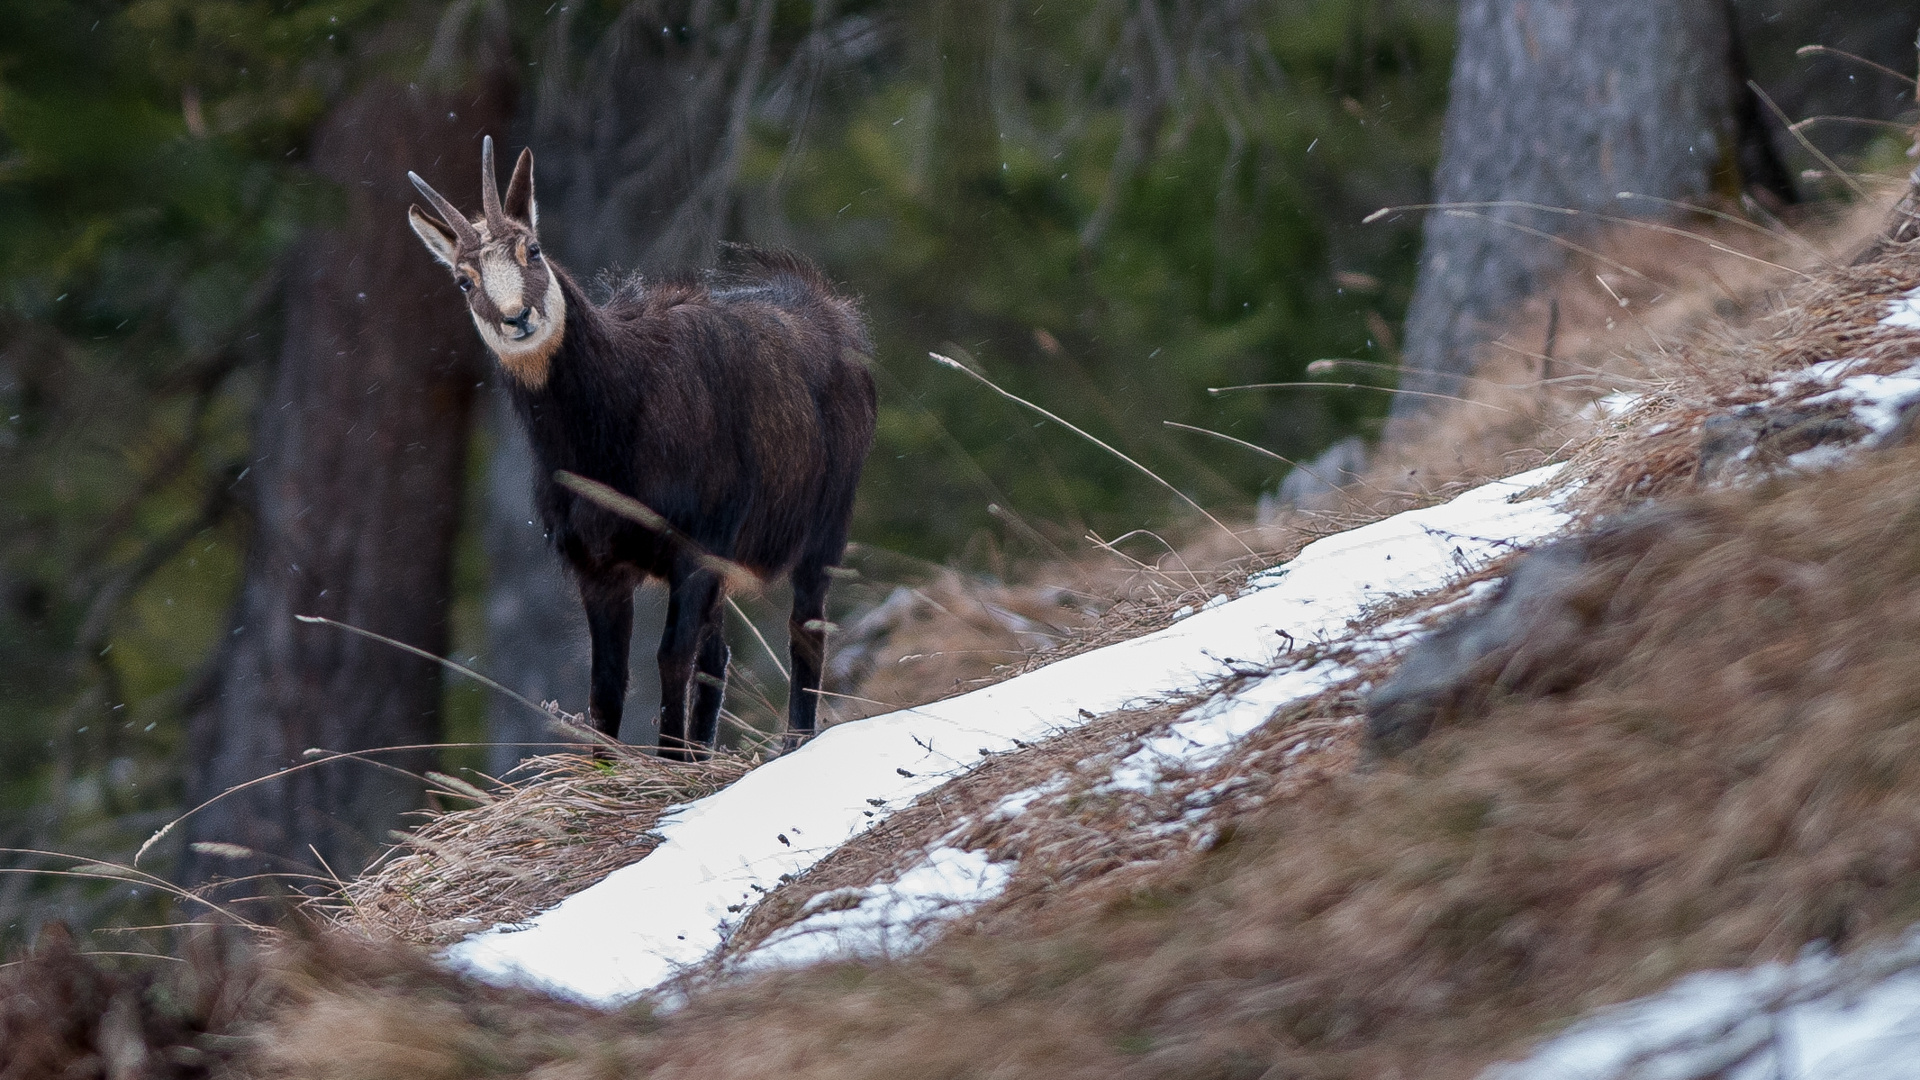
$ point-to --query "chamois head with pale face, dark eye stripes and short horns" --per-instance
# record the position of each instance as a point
(512, 291)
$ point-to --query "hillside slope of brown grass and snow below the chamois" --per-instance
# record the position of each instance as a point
(1182, 856)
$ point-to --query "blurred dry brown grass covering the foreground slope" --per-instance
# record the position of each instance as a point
(1429, 916)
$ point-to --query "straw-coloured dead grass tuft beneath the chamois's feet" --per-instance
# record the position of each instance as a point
(558, 825)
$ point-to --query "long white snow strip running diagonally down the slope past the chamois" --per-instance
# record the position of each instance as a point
(673, 908)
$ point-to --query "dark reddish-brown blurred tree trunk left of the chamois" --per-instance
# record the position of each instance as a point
(358, 476)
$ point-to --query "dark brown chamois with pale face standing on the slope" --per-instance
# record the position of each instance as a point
(736, 410)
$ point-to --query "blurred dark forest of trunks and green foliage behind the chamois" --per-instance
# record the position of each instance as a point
(1109, 207)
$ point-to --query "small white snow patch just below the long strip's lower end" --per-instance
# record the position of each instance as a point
(884, 920)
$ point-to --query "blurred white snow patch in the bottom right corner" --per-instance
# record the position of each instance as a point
(1815, 1018)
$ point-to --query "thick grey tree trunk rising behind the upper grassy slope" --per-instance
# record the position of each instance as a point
(1566, 105)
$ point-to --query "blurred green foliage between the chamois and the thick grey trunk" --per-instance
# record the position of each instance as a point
(982, 203)
